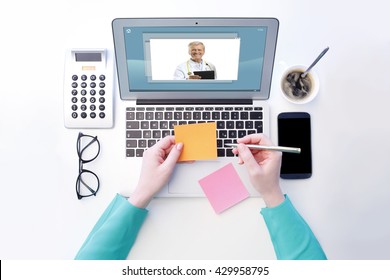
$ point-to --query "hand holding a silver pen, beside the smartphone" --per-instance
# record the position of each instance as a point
(263, 167)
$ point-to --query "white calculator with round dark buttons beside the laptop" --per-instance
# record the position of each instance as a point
(88, 88)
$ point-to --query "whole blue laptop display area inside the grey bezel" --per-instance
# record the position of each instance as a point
(234, 53)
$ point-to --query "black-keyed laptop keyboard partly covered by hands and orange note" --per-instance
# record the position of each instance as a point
(146, 125)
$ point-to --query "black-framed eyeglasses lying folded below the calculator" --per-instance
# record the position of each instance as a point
(88, 148)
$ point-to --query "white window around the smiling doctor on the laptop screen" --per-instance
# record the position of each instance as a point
(166, 55)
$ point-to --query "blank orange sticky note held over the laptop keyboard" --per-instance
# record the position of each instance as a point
(200, 141)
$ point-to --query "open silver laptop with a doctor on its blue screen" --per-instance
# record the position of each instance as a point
(155, 58)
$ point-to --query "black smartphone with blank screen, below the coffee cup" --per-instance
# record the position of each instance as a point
(294, 130)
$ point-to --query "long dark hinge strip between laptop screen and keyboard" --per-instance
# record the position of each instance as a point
(194, 101)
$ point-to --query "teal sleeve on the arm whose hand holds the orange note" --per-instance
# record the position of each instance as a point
(115, 232)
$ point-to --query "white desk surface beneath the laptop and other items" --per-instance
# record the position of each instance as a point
(346, 202)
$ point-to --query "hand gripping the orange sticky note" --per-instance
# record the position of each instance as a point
(157, 166)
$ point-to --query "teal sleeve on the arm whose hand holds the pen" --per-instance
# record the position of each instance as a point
(291, 236)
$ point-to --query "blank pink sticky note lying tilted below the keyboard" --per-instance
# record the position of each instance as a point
(223, 188)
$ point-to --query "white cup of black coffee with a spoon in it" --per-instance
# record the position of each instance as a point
(299, 90)
